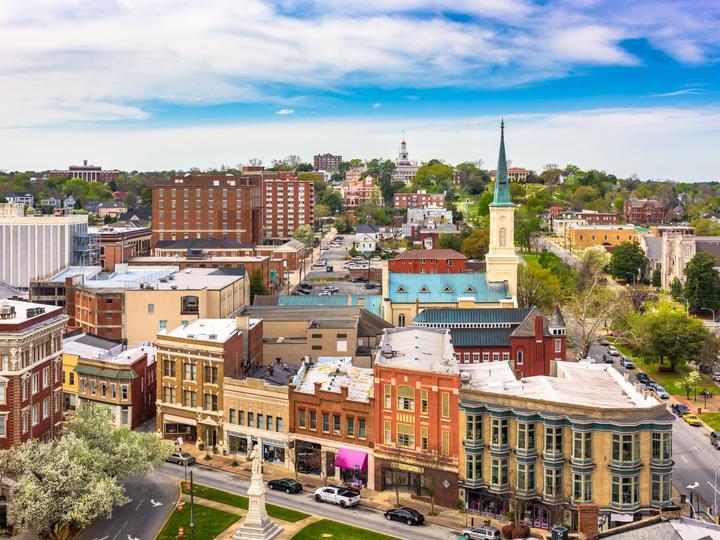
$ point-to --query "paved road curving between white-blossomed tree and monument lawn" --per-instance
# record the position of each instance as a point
(142, 517)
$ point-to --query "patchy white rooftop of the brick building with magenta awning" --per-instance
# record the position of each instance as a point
(333, 373)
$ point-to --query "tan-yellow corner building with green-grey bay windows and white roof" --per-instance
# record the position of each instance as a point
(546, 445)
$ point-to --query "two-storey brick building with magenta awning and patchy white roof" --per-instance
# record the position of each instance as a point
(331, 421)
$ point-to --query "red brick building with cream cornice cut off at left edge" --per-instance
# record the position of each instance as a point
(30, 372)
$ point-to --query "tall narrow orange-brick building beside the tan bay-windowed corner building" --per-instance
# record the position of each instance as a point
(417, 383)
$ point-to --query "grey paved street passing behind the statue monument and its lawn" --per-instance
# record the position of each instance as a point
(359, 516)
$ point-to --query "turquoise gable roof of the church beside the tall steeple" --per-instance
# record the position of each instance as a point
(436, 283)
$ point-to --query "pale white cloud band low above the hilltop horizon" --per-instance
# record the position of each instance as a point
(656, 142)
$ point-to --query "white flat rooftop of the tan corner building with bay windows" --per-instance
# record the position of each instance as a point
(576, 383)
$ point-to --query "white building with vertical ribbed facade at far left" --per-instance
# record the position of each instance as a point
(32, 247)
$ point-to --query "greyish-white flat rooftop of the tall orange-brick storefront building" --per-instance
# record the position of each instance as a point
(421, 349)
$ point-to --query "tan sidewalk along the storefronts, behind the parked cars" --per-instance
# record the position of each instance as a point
(378, 500)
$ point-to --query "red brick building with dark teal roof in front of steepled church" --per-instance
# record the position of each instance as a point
(525, 337)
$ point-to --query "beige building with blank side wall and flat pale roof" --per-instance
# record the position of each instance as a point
(181, 298)
